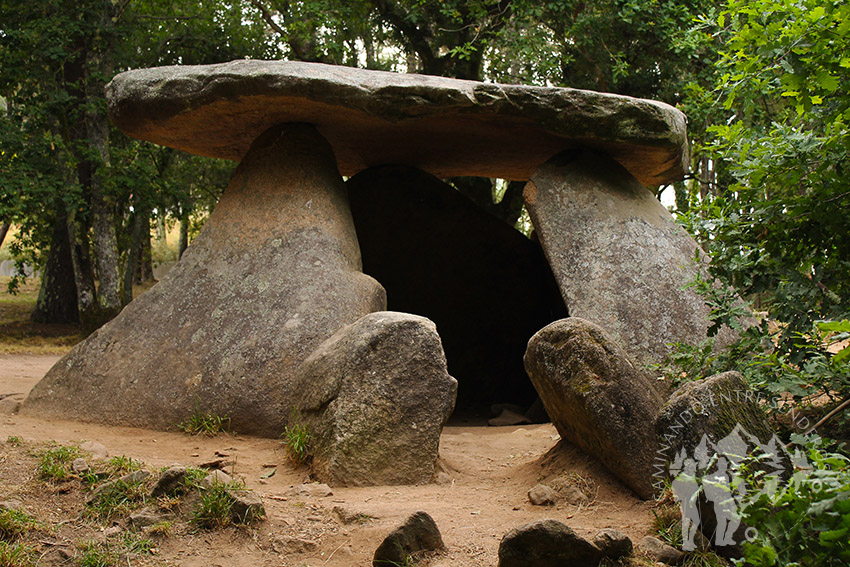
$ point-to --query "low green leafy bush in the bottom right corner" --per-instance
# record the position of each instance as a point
(804, 521)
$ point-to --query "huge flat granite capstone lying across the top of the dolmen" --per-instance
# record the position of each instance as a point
(371, 117)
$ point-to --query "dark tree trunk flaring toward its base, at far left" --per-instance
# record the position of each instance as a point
(57, 297)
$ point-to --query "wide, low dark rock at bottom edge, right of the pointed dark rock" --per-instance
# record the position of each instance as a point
(546, 543)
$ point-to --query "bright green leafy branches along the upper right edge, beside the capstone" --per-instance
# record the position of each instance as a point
(776, 220)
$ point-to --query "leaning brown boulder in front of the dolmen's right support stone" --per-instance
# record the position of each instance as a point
(597, 398)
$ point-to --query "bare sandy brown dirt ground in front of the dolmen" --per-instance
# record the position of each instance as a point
(484, 494)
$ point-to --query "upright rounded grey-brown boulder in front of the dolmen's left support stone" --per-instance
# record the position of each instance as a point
(375, 397)
